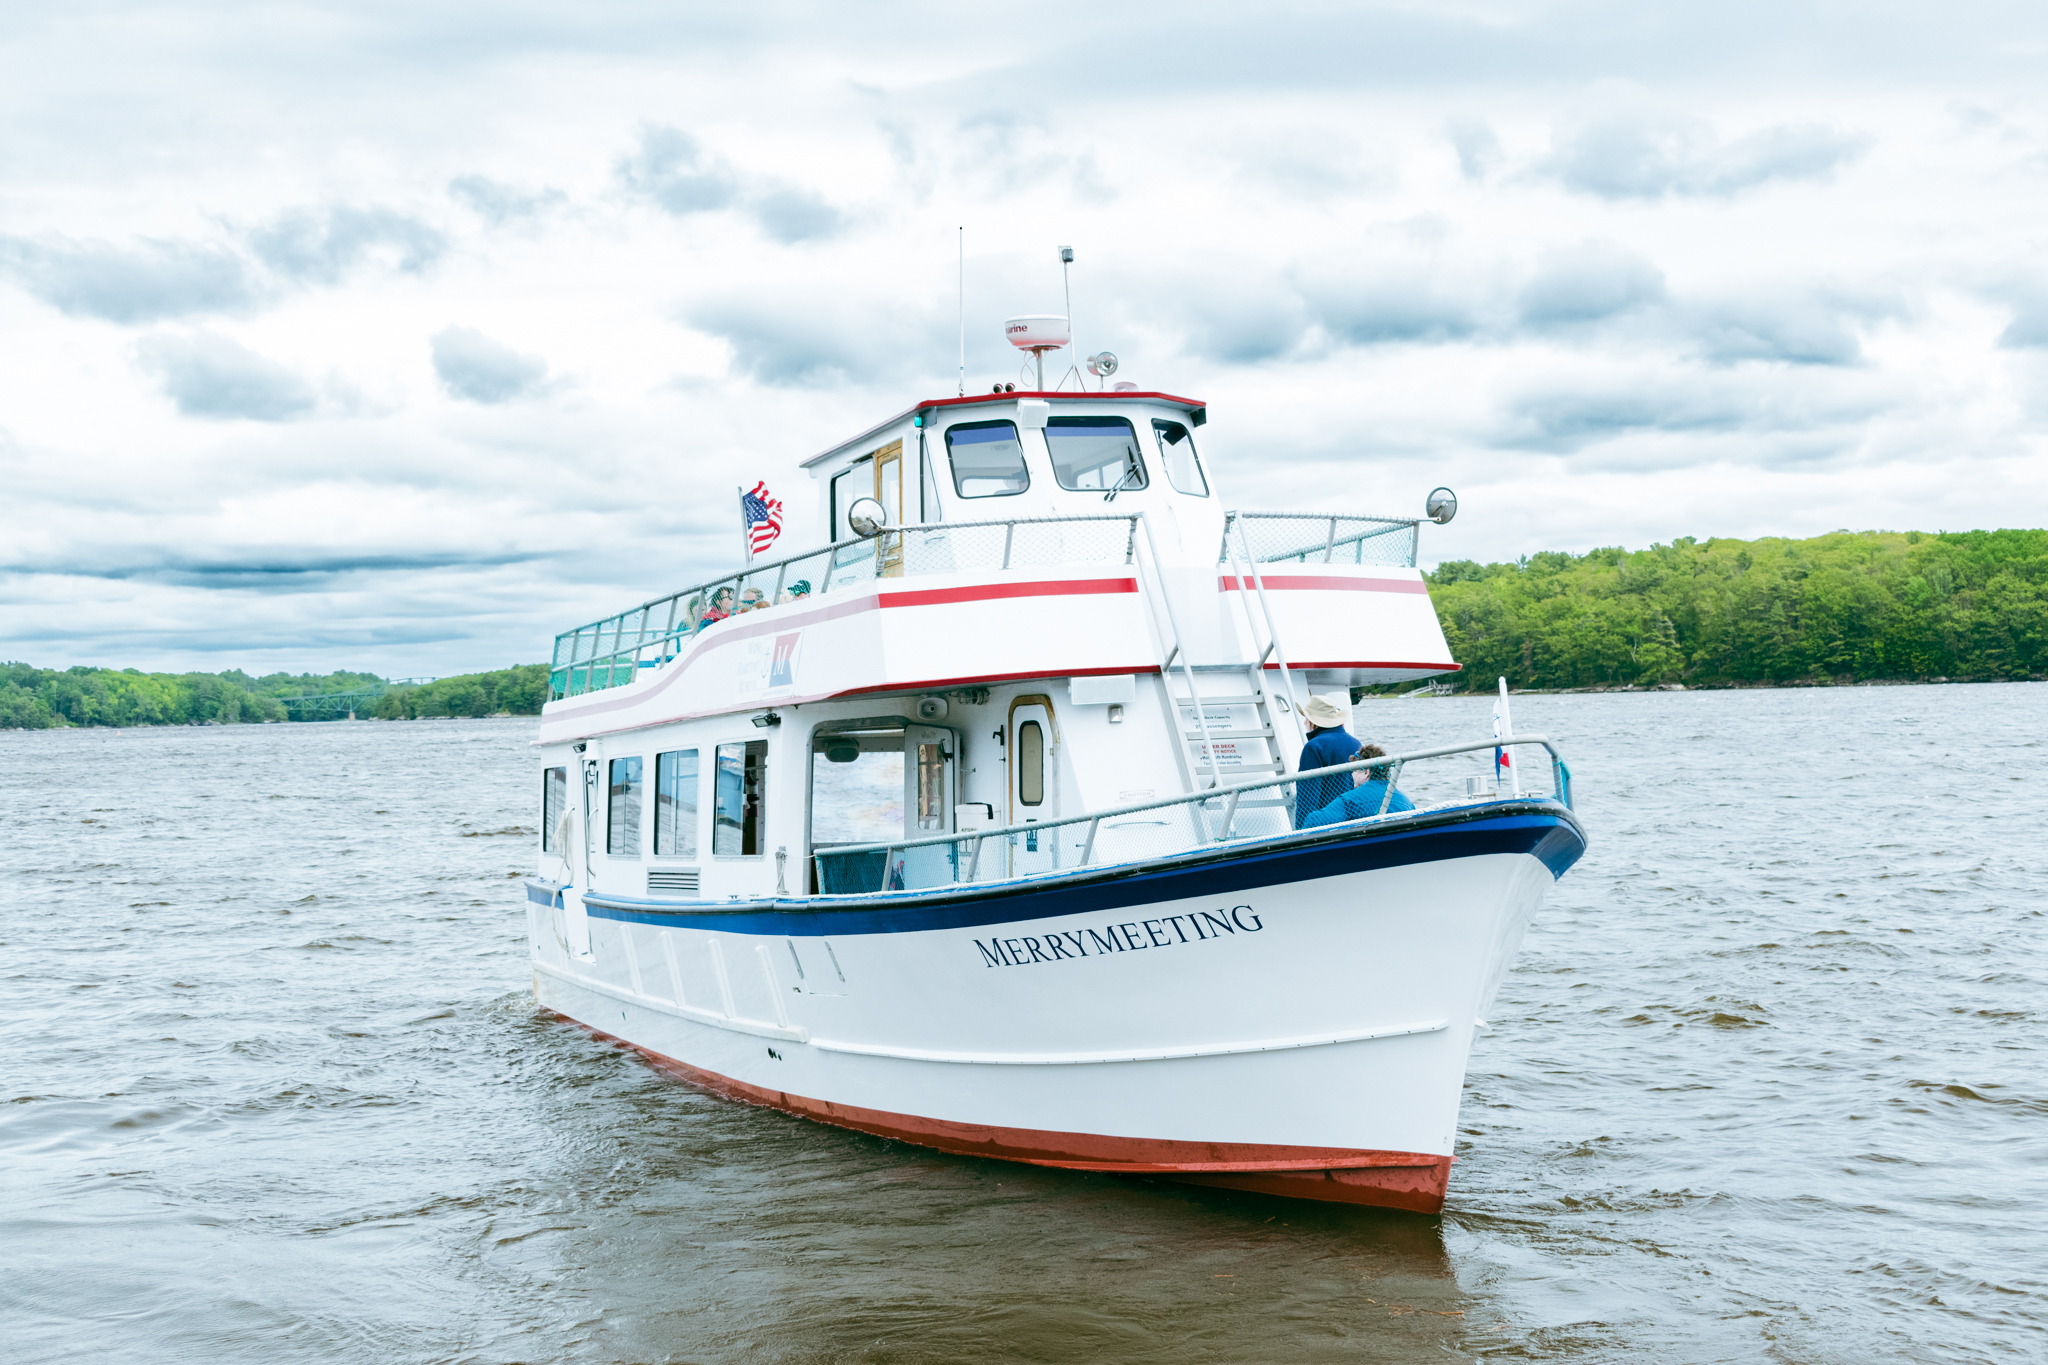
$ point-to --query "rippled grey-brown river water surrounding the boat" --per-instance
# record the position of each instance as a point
(1768, 1086)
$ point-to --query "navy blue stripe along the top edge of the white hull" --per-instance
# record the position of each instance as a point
(1545, 834)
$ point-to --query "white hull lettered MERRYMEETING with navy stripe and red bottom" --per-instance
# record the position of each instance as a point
(1291, 1016)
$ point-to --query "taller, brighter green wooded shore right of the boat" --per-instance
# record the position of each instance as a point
(1846, 607)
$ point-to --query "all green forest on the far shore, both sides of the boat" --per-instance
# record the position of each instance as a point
(1840, 609)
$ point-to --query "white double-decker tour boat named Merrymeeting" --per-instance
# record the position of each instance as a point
(978, 826)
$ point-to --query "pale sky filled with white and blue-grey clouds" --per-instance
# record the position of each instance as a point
(404, 335)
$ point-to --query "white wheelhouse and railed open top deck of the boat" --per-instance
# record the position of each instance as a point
(992, 484)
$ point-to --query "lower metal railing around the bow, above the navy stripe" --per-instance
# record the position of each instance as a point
(1134, 834)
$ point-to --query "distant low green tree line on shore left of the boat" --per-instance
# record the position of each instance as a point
(42, 699)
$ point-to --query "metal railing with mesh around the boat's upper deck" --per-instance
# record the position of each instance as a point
(613, 652)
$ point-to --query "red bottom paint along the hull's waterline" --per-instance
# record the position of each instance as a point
(1410, 1182)
